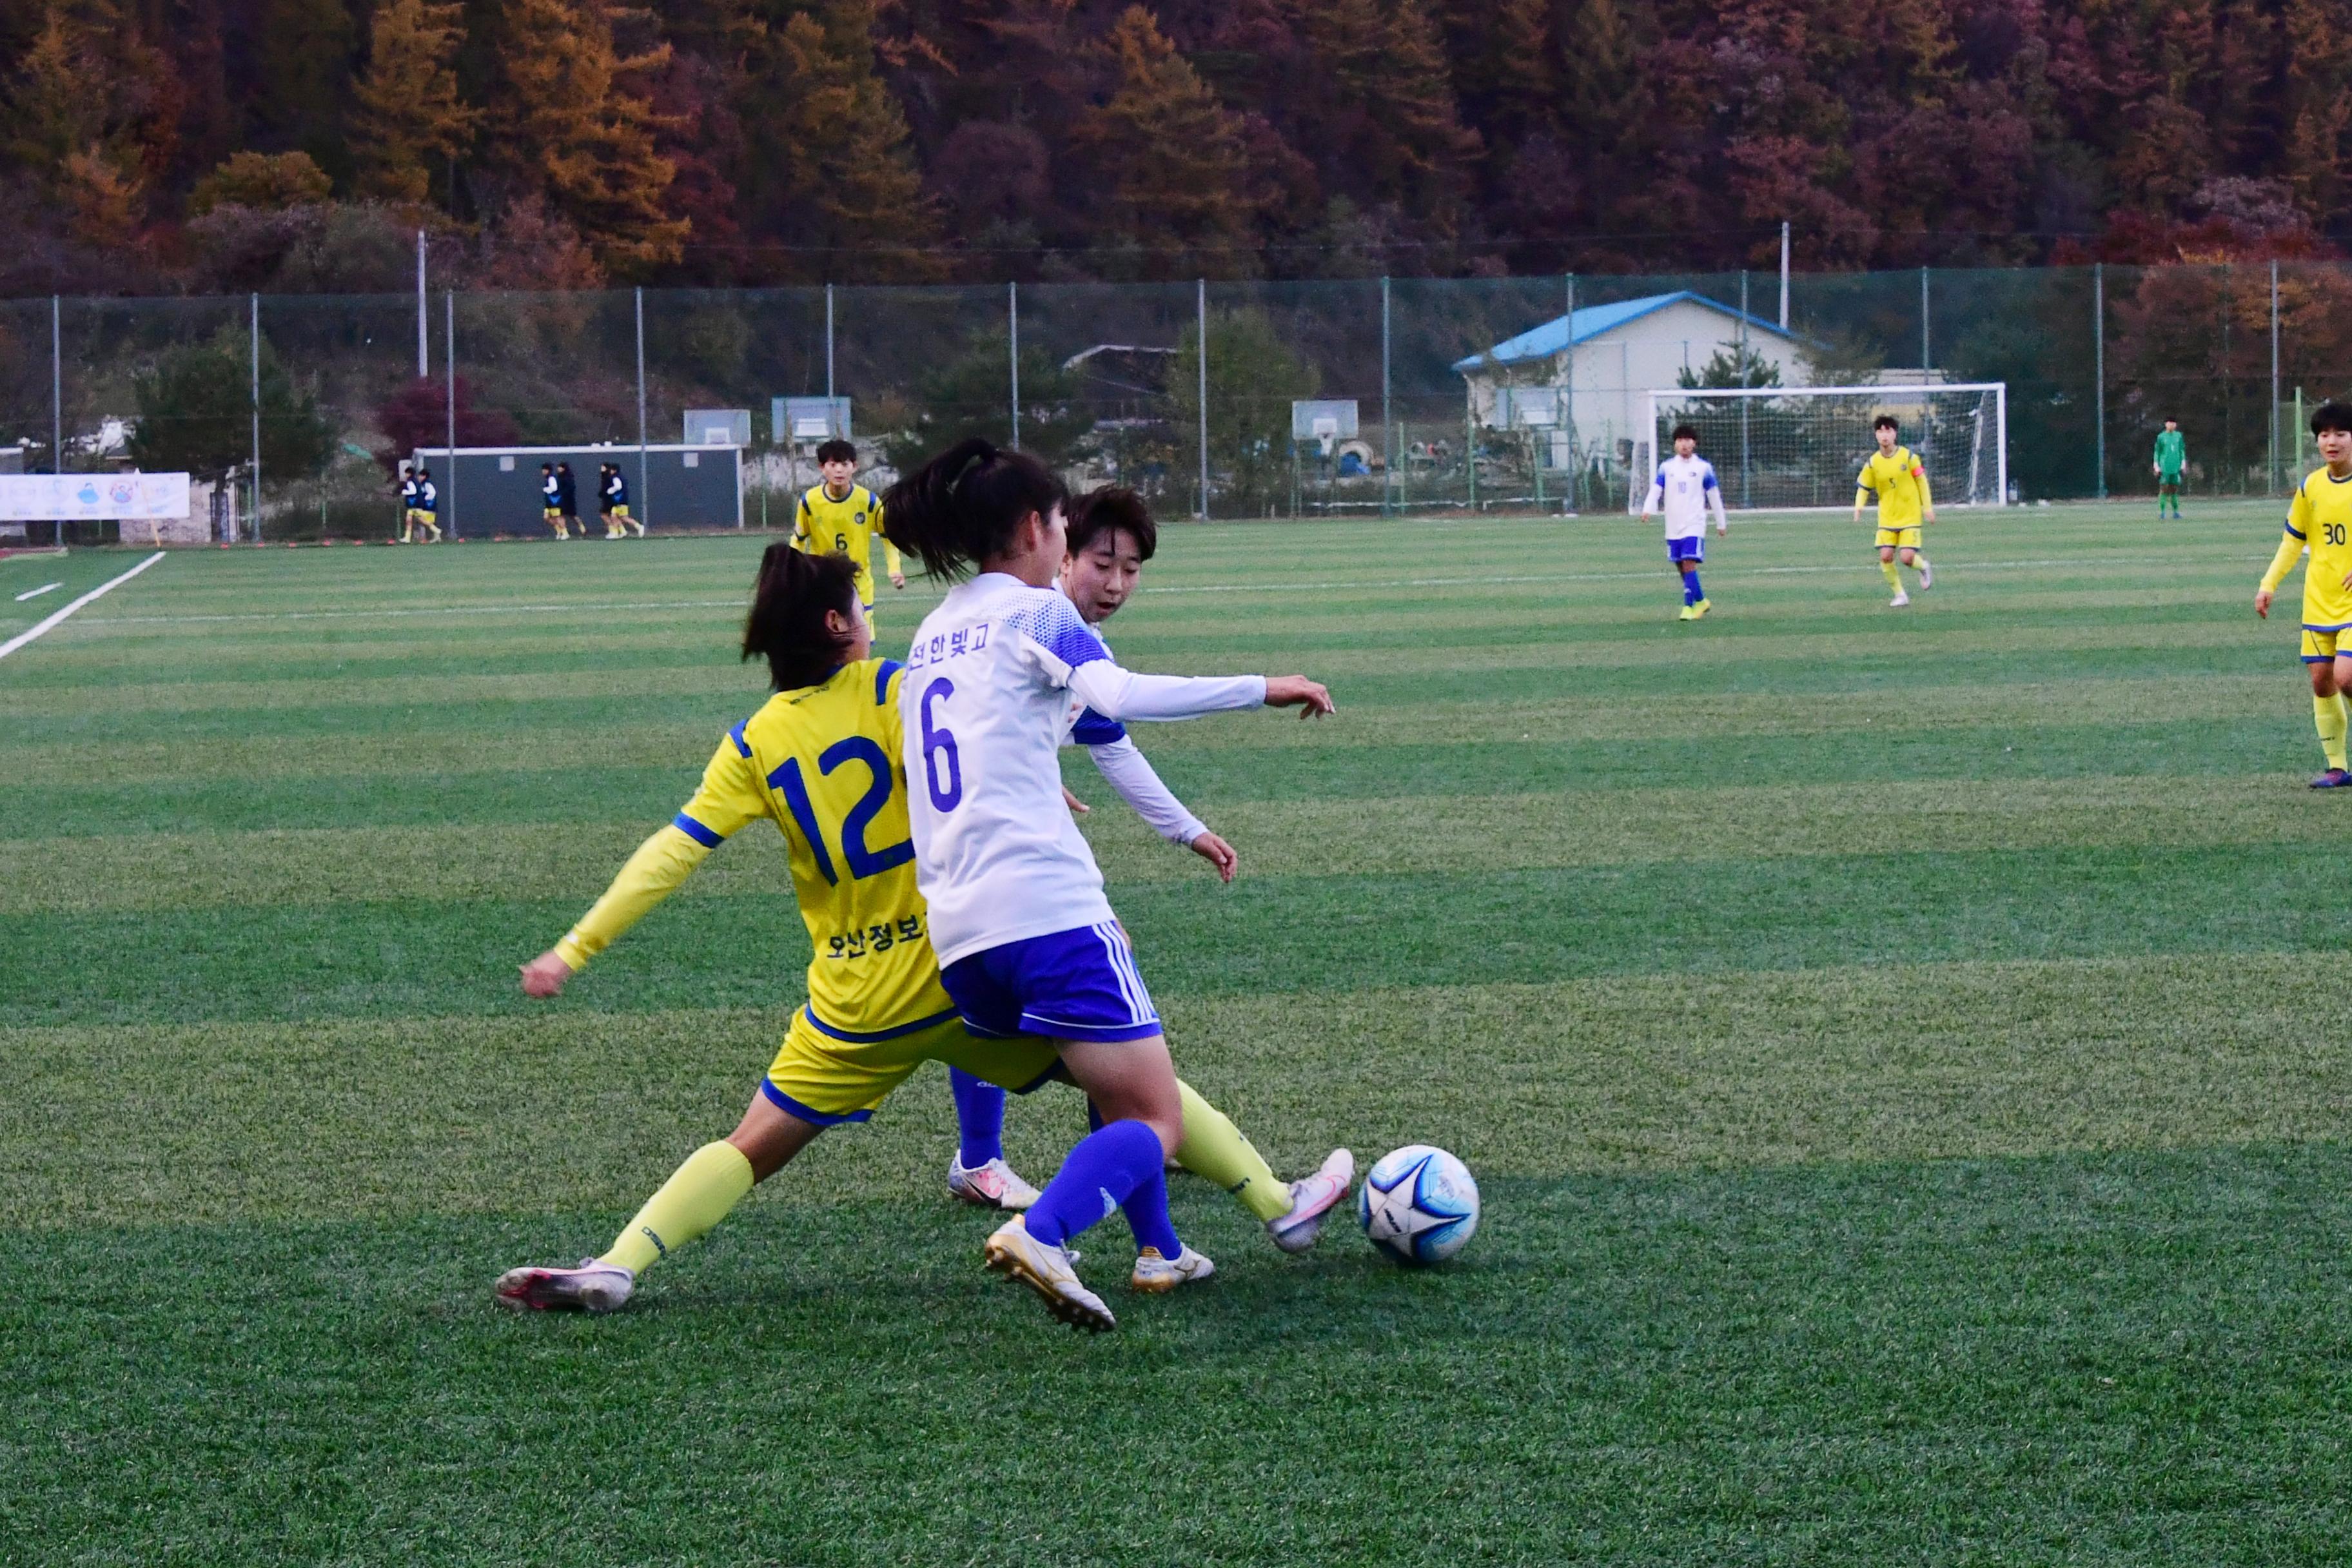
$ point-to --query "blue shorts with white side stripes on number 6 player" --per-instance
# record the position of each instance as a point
(1067, 986)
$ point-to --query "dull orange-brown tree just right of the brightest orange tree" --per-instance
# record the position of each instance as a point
(838, 133)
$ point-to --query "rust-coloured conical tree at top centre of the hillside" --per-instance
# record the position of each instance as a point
(1170, 156)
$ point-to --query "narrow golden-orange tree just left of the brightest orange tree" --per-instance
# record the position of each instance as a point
(410, 119)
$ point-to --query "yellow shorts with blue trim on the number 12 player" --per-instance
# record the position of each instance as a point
(827, 1080)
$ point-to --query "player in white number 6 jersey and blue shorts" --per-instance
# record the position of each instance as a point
(1027, 942)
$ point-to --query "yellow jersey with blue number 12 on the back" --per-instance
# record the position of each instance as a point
(822, 763)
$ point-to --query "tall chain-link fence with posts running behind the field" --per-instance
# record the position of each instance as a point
(1220, 401)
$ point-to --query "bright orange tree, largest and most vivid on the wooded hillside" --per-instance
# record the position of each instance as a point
(575, 126)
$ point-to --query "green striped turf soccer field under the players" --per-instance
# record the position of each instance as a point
(1902, 1054)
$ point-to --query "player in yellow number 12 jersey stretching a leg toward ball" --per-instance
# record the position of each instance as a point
(822, 760)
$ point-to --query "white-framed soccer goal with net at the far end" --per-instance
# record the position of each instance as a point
(1798, 448)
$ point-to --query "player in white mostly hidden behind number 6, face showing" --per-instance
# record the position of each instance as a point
(1109, 537)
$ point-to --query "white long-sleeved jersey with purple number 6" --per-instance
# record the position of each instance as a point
(989, 704)
